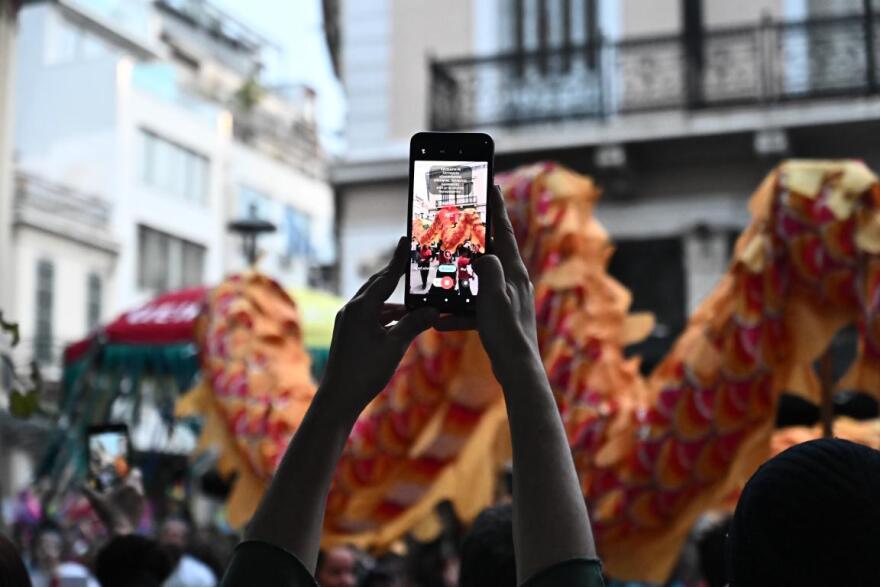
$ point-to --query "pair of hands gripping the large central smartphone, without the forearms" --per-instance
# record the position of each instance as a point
(365, 351)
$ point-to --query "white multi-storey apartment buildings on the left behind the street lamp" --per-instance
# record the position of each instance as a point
(153, 117)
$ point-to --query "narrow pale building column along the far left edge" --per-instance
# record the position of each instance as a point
(8, 9)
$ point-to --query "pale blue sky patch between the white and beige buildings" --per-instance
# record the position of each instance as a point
(296, 26)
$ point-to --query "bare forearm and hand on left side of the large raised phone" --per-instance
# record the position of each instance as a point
(363, 355)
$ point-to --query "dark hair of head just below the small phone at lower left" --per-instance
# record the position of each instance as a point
(133, 561)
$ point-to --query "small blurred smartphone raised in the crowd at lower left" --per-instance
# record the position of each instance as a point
(108, 454)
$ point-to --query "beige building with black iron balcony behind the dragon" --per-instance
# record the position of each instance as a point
(677, 107)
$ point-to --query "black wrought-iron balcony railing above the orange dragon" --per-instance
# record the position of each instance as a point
(763, 65)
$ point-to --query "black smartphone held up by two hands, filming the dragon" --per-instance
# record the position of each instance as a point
(448, 218)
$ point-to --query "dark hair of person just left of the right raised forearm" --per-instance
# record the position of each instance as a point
(487, 557)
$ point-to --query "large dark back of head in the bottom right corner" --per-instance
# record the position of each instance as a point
(809, 516)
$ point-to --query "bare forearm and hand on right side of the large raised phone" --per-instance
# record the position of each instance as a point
(550, 522)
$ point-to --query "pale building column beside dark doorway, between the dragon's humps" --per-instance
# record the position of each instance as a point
(705, 262)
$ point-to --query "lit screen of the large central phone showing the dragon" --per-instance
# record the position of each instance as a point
(448, 230)
